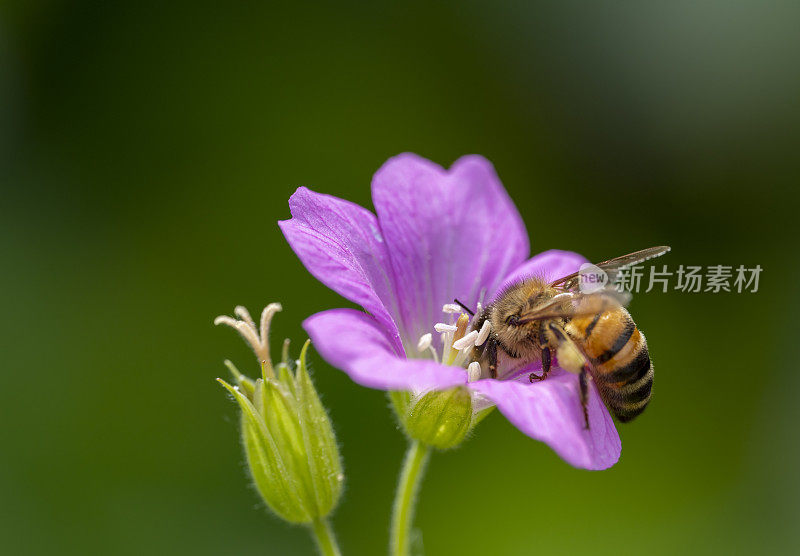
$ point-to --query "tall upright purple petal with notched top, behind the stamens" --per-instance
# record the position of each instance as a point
(449, 233)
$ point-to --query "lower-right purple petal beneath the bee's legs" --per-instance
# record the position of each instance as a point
(550, 411)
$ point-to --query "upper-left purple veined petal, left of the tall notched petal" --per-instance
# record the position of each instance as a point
(340, 243)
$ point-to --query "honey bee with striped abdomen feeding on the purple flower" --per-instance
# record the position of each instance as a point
(591, 334)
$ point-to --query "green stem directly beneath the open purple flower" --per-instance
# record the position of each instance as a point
(406, 497)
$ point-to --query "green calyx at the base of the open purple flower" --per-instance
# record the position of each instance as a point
(438, 419)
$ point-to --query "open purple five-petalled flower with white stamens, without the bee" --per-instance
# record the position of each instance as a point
(438, 235)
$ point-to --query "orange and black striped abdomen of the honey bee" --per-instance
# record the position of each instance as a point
(622, 369)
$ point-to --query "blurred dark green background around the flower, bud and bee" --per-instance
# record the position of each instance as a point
(148, 149)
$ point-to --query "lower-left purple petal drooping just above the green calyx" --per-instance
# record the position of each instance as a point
(355, 343)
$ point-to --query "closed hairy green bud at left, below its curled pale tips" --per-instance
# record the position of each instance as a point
(288, 440)
